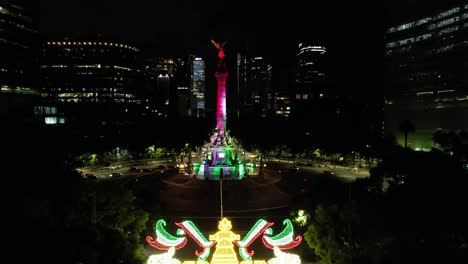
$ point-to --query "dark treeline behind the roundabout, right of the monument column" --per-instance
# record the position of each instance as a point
(303, 134)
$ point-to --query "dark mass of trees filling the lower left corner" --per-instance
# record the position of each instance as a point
(54, 215)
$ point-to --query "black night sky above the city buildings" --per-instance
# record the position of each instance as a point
(352, 30)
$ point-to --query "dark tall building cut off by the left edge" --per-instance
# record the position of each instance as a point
(19, 42)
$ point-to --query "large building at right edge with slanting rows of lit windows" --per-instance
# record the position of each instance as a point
(425, 74)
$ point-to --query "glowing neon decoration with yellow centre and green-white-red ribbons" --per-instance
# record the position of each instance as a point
(224, 242)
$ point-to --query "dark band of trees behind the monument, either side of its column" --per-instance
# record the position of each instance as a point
(94, 135)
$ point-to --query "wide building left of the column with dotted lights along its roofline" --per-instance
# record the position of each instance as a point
(93, 75)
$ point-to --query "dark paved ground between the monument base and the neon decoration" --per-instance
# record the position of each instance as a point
(182, 193)
